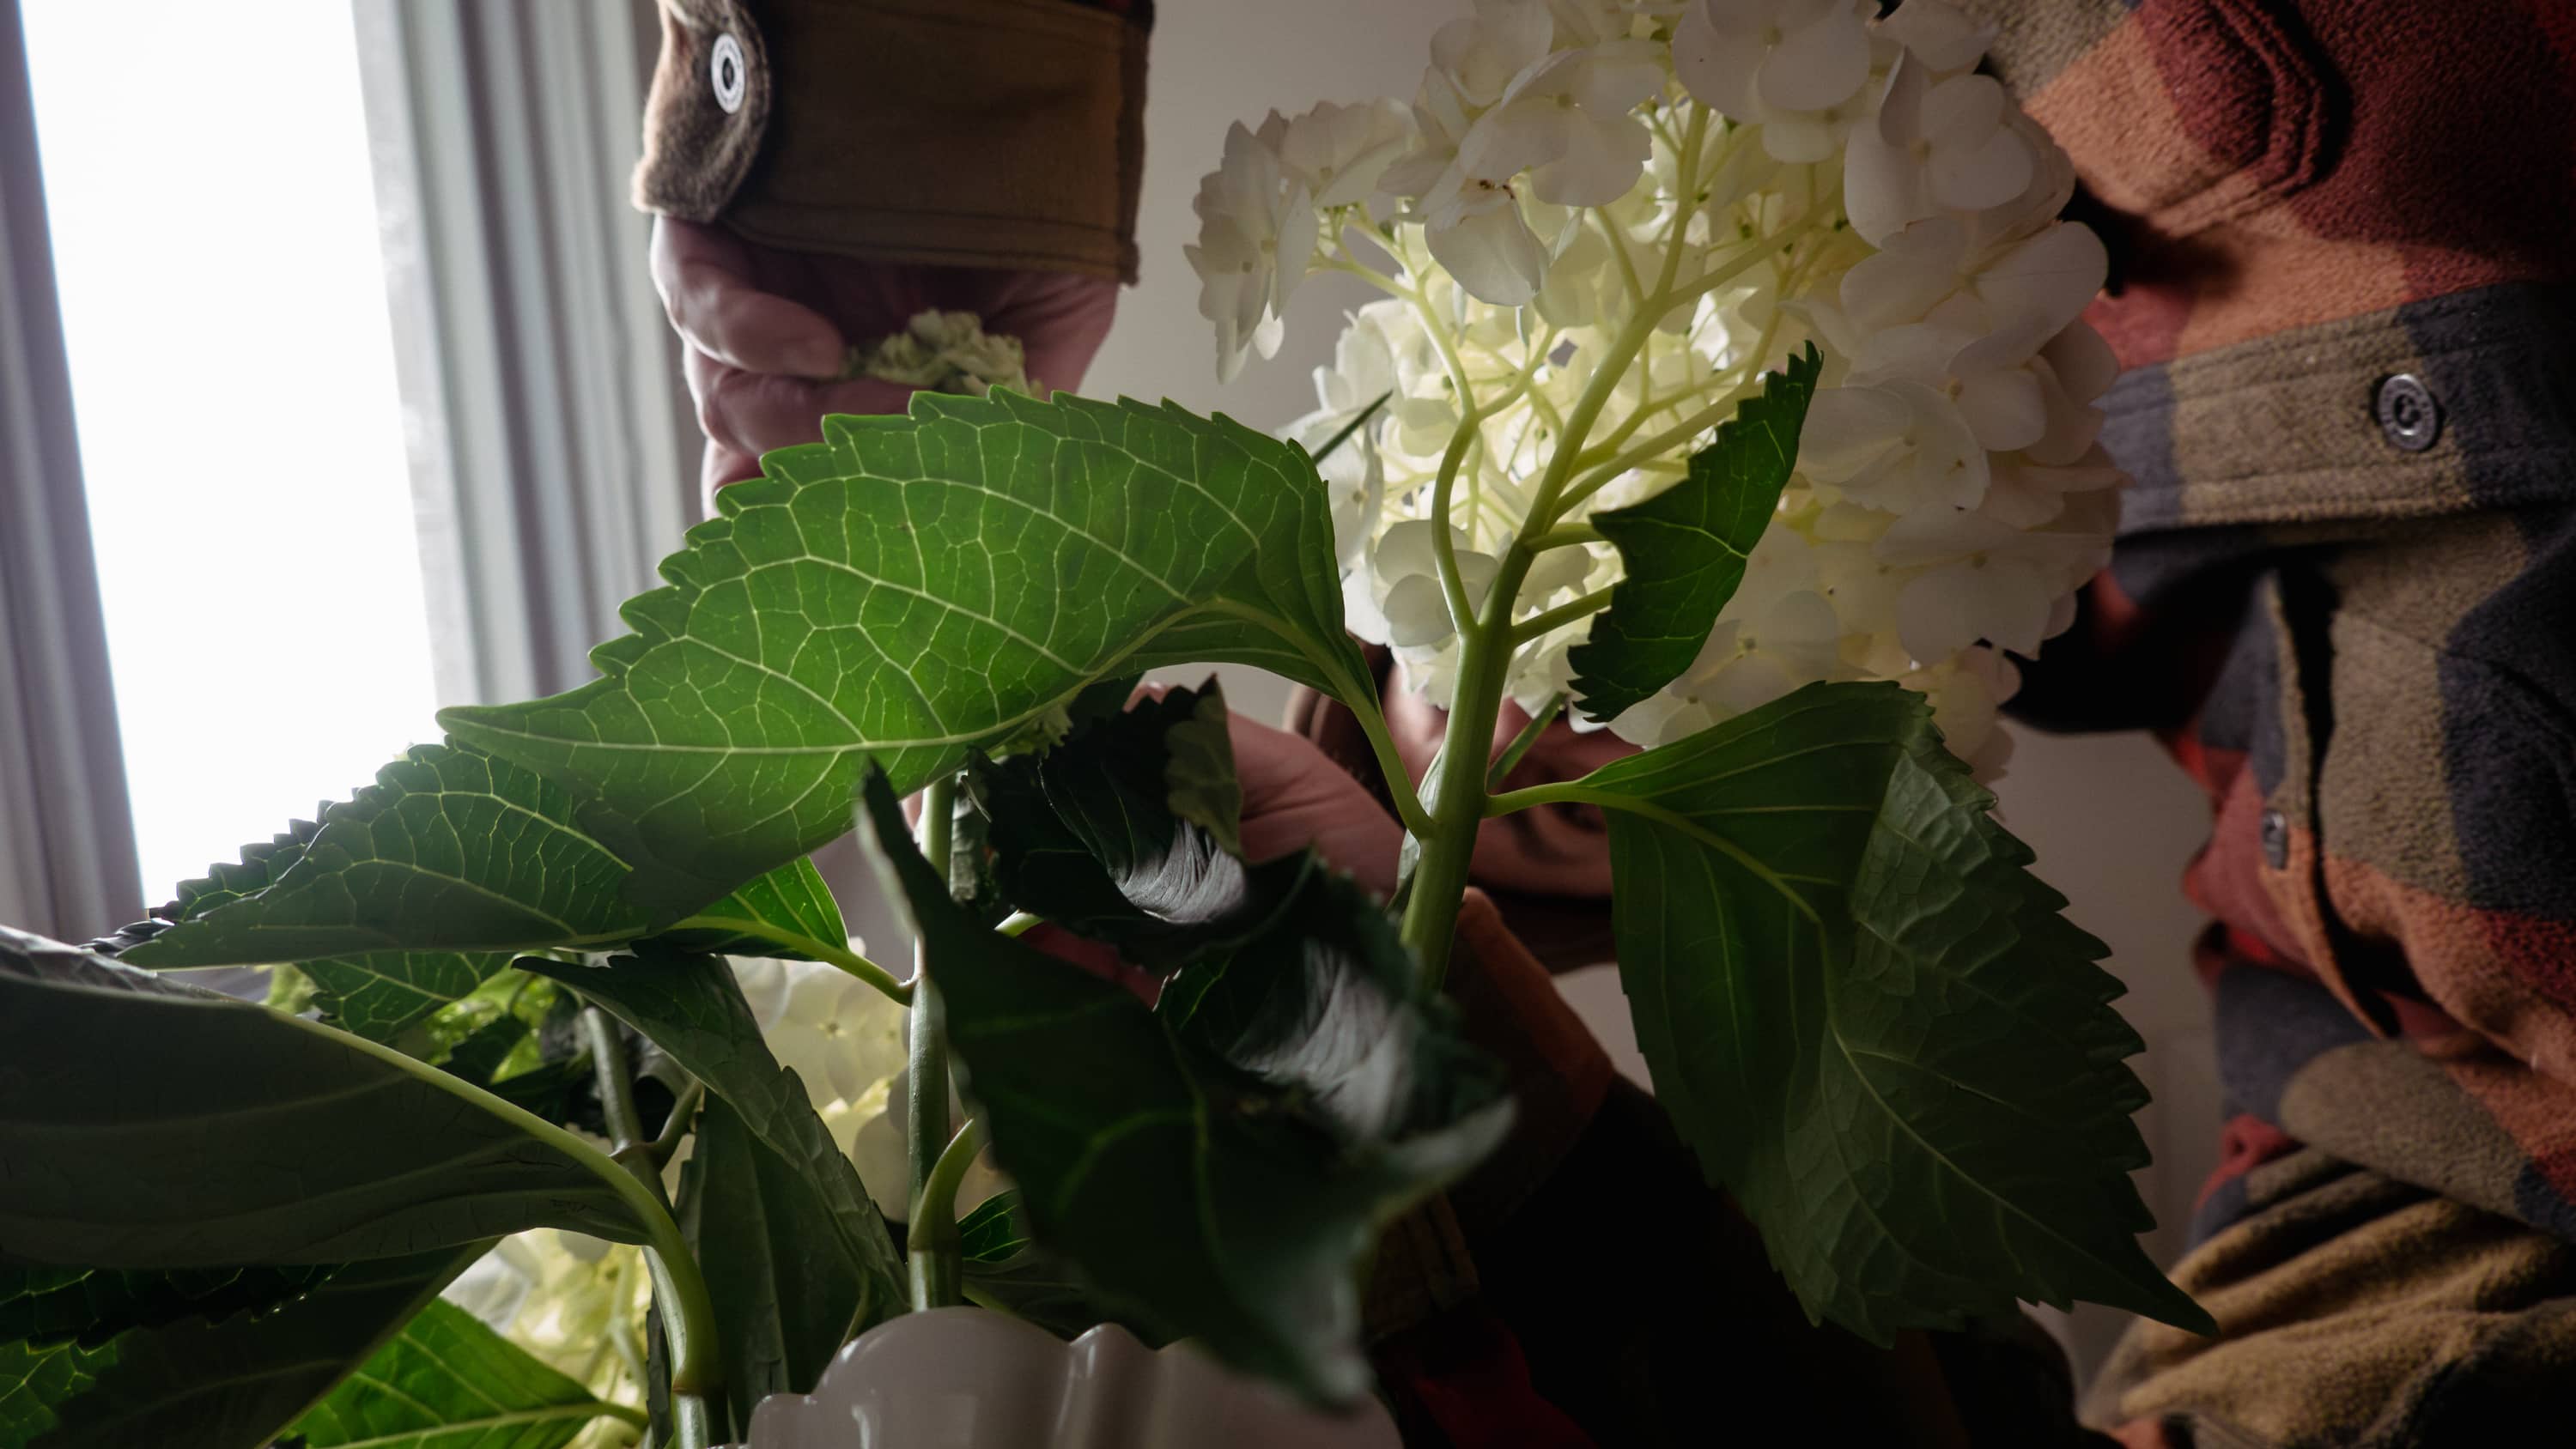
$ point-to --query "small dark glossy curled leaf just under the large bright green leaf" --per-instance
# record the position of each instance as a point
(1127, 833)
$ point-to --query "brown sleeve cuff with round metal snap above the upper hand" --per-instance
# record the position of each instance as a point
(985, 135)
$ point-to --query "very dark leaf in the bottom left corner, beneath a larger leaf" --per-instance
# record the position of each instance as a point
(215, 1386)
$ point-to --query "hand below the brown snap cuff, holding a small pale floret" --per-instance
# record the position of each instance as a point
(766, 331)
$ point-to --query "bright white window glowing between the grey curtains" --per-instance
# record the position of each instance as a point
(241, 431)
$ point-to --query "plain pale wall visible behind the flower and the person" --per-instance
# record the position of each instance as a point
(2111, 817)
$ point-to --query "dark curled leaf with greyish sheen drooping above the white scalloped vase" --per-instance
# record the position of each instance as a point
(1199, 1195)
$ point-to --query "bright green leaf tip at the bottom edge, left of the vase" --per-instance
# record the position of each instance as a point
(452, 1383)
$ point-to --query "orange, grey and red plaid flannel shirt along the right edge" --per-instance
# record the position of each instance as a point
(2348, 596)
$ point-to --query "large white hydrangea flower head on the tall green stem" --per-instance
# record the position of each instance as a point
(1598, 225)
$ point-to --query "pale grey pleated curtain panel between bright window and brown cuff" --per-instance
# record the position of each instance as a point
(553, 441)
